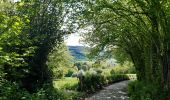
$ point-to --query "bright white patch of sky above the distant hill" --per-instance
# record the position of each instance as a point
(73, 40)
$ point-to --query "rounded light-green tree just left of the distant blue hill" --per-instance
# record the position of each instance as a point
(60, 60)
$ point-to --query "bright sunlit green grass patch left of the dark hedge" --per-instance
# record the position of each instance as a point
(66, 83)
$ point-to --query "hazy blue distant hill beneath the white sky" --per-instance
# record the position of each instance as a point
(78, 52)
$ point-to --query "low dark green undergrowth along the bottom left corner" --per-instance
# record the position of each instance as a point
(10, 90)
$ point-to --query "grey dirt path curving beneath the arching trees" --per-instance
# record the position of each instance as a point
(117, 91)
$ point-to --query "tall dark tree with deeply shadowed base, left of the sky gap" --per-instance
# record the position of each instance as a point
(45, 29)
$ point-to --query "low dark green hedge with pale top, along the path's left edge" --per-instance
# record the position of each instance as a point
(93, 81)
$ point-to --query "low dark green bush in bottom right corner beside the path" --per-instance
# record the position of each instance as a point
(142, 91)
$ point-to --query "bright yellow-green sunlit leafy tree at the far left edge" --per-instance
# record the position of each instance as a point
(15, 45)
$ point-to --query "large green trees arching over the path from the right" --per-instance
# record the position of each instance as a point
(139, 28)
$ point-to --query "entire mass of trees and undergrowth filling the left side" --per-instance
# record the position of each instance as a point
(30, 30)
